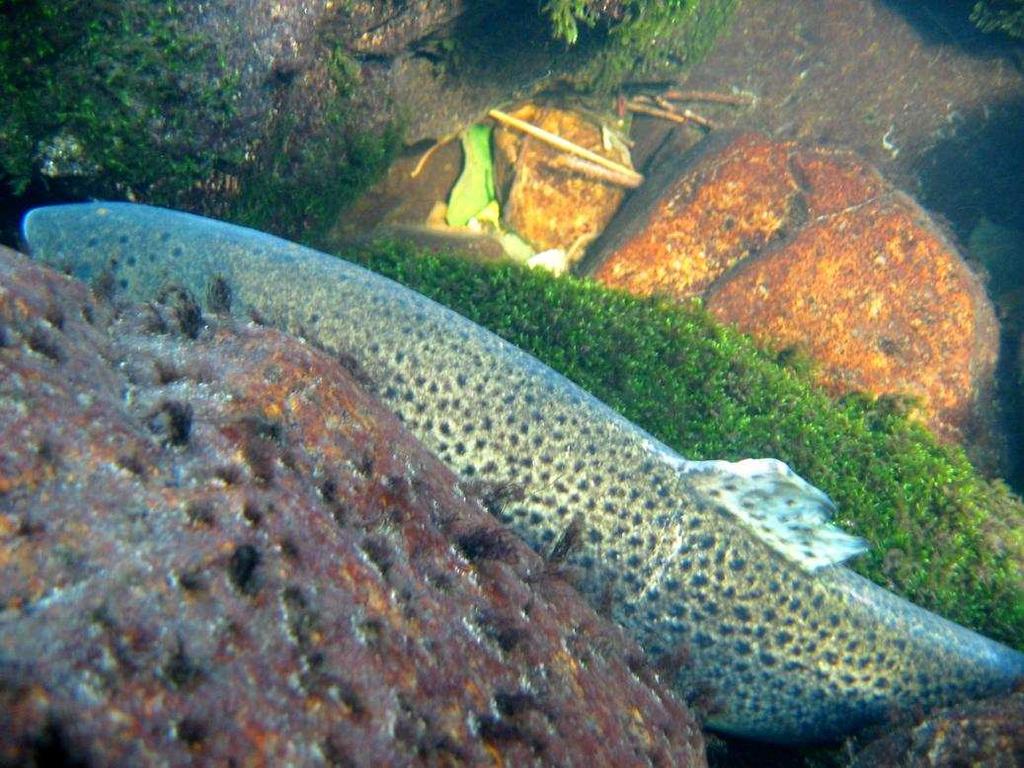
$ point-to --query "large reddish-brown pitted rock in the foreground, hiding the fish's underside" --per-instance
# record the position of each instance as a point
(216, 546)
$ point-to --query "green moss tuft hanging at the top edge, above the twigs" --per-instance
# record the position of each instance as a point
(654, 37)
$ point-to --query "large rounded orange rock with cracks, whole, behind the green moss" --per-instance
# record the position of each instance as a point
(812, 249)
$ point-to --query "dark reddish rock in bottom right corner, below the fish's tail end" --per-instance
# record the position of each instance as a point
(987, 734)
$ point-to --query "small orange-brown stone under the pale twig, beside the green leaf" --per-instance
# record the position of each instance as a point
(546, 201)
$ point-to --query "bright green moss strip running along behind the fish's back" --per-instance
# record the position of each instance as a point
(942, 535)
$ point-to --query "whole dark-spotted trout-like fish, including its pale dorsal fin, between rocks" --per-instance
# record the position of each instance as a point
(732, 564)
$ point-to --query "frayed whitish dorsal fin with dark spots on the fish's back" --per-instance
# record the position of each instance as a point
(780, 507)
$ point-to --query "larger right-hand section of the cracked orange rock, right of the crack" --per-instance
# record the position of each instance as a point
(884, 305)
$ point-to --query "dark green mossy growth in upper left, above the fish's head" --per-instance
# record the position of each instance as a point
(140, 106)
